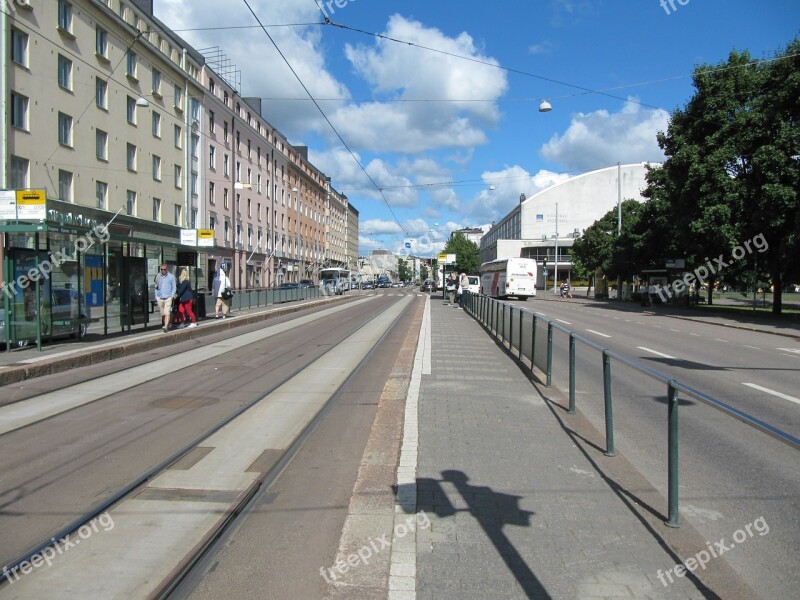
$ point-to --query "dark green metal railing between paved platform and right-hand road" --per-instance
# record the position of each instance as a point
(499, 319)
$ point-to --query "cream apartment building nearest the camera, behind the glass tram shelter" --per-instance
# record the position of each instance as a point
(102, 101)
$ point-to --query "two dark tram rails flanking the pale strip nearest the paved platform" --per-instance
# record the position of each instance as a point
(252, 493)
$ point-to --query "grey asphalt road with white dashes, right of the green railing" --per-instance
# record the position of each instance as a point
(731, 475)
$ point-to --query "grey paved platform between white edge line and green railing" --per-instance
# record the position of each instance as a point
(522, 501)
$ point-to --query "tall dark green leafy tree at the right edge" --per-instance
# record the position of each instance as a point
(732, 170)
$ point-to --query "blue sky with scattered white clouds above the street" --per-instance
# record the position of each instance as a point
(425, 113)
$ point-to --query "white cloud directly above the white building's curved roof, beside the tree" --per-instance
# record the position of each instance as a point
(600, 138)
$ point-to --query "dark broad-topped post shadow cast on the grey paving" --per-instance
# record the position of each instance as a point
(493, 510)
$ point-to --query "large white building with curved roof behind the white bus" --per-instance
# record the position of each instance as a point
(544, 226)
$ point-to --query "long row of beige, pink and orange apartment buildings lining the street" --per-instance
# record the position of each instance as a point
(135, 139)
